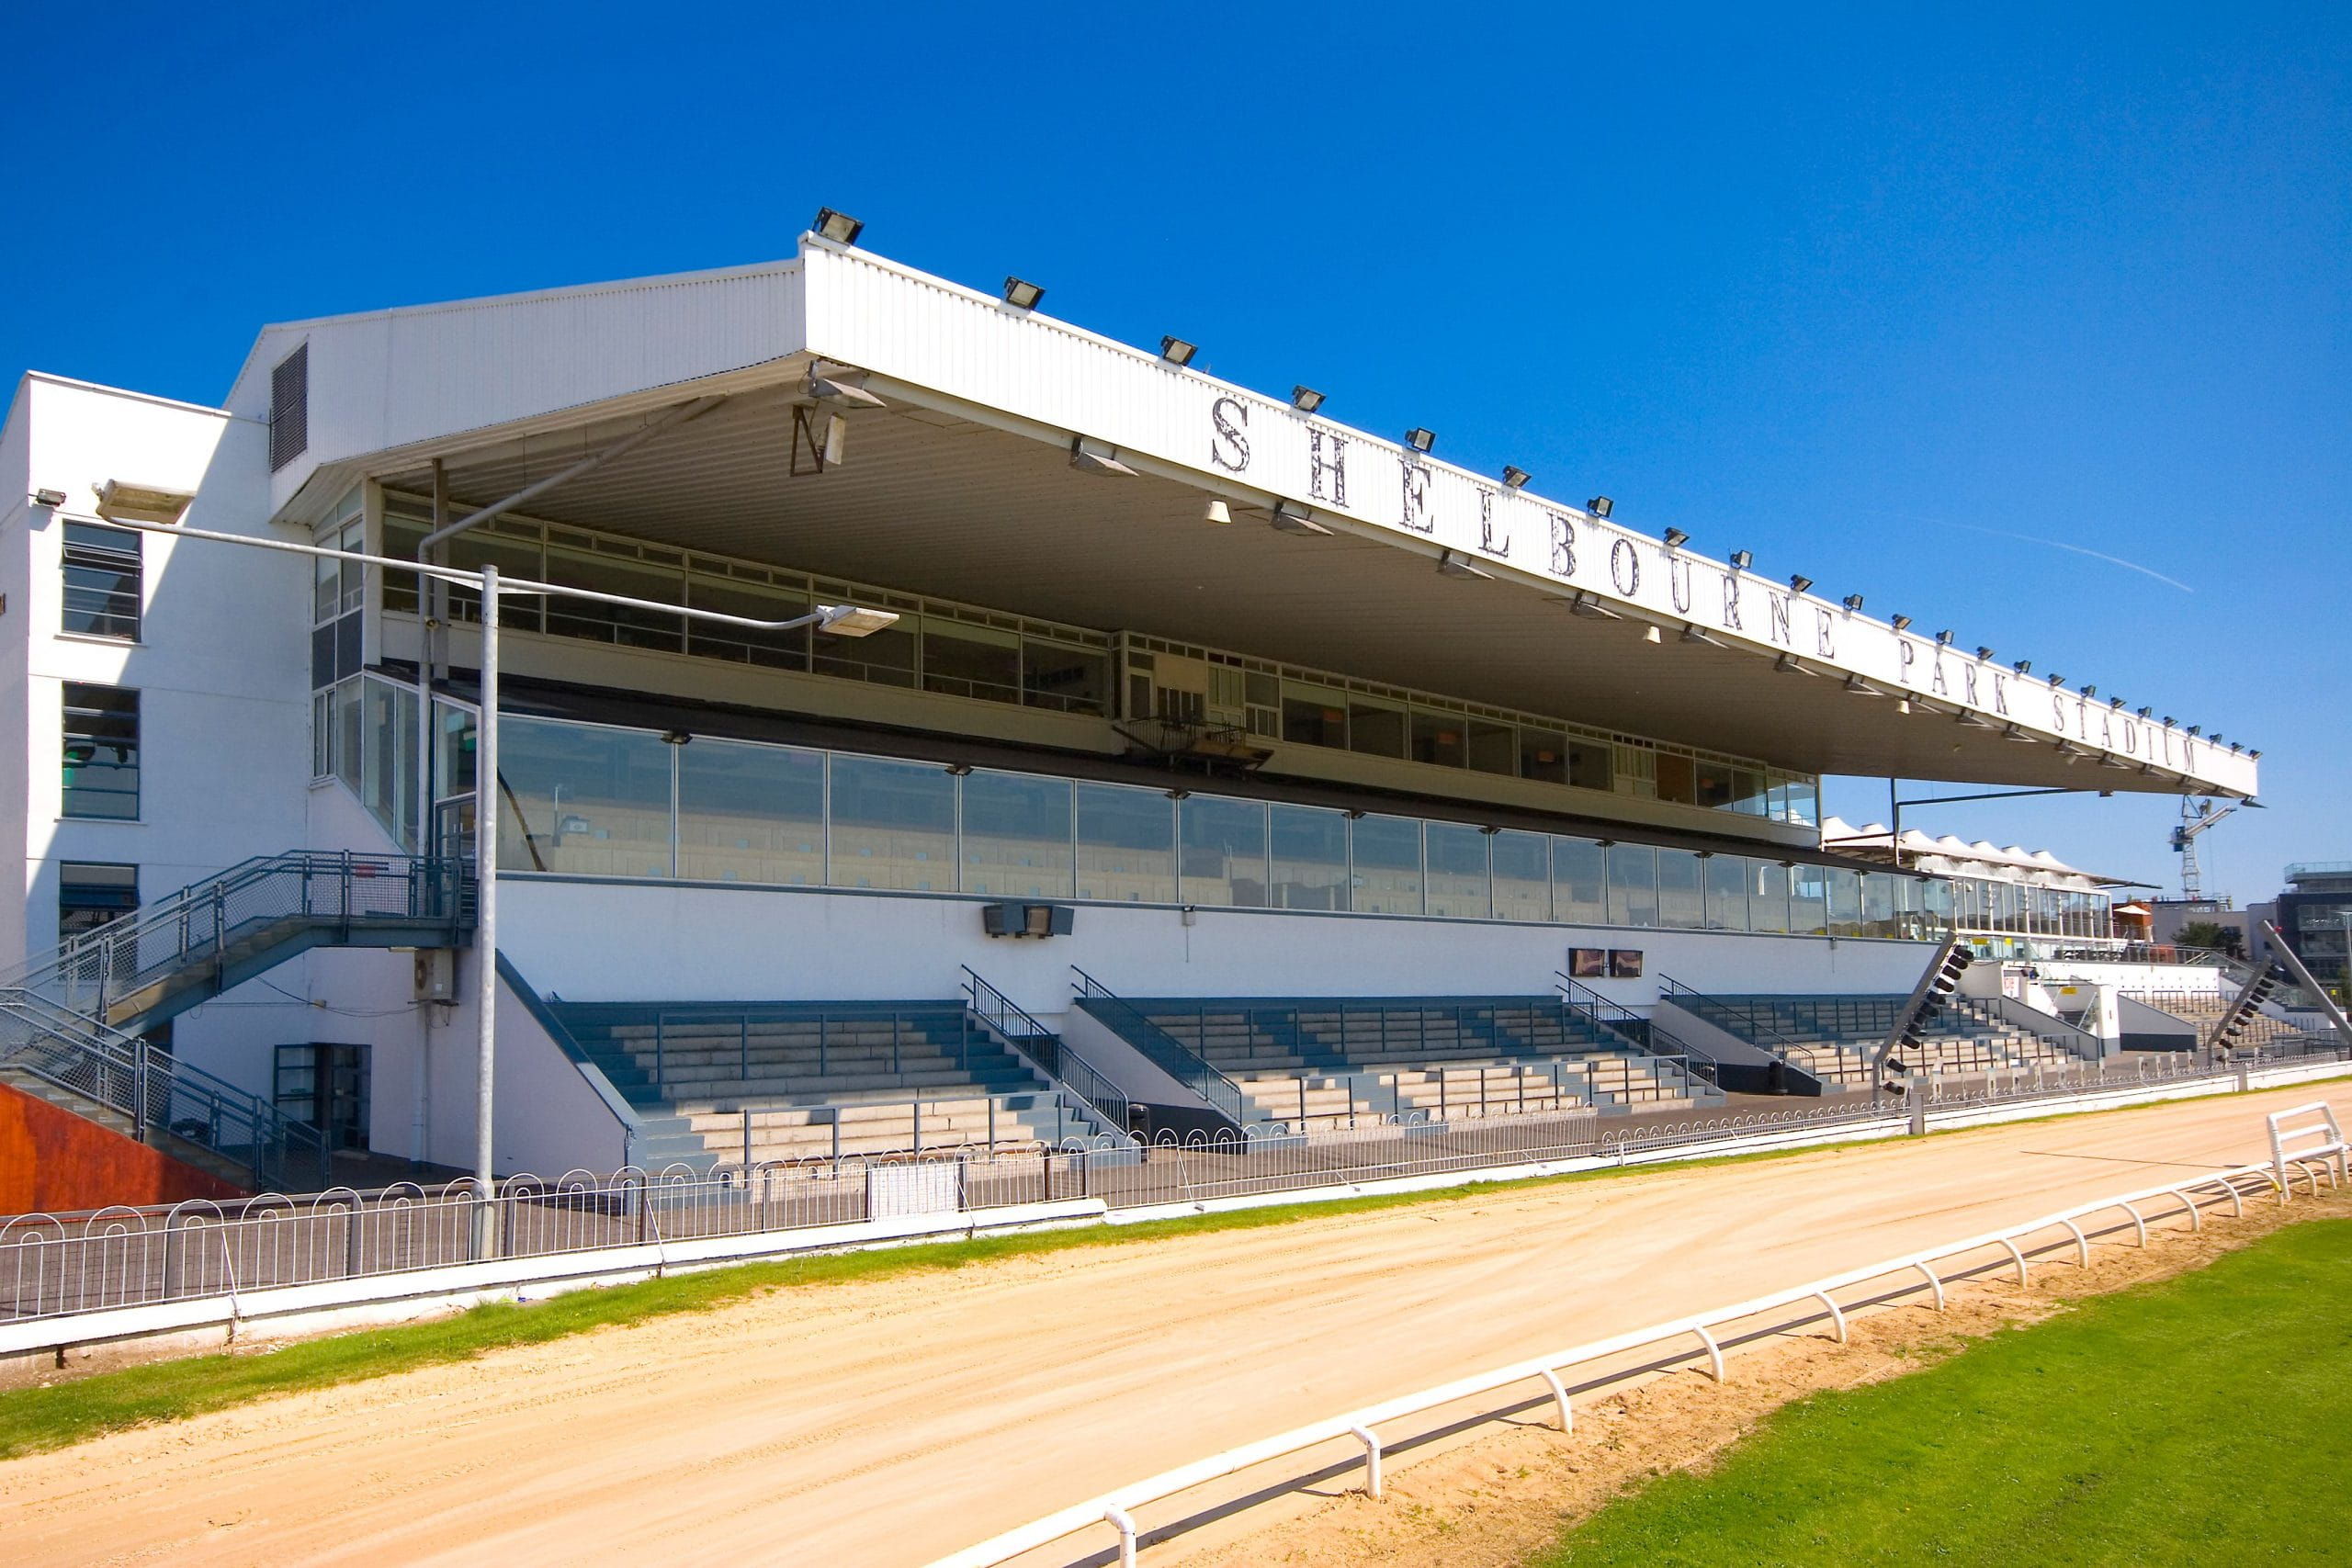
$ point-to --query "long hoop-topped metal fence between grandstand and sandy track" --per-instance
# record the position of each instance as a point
(58, 1266)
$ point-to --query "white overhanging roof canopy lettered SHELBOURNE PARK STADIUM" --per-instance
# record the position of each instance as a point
(963, 485)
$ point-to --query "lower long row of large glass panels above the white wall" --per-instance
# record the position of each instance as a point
(617, 803)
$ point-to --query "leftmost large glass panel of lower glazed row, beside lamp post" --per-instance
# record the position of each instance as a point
(584, 800)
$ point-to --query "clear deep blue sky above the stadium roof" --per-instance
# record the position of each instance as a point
(1942, 309)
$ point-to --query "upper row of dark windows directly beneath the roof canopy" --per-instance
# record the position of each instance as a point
(1008, 659)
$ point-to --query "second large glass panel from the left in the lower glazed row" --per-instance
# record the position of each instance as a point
(751, 815)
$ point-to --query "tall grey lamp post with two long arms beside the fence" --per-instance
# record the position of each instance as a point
(841, 619)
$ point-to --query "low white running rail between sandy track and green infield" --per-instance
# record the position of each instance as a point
(1116, 1508)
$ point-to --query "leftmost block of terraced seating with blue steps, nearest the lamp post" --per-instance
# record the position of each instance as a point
(806, 1080)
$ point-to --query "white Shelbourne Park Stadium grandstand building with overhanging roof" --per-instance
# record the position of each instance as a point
(1163, 756)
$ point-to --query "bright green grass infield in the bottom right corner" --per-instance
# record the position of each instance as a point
(2193, 1421)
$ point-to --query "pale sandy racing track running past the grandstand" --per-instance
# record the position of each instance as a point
(895, 1421)
